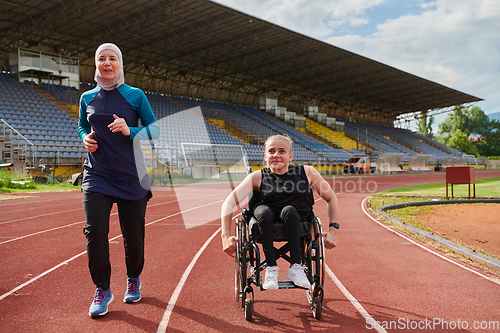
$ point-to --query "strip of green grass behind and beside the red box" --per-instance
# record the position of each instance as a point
(489, 187)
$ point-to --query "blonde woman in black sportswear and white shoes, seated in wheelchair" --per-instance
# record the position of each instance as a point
(285, 197)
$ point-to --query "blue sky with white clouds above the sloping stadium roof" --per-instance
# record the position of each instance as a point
(455, 43)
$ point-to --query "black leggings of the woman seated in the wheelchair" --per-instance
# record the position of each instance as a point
(266, 218)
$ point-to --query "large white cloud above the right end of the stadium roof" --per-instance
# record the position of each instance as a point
(455, 43)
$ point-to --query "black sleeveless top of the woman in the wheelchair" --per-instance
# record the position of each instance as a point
(290, 188)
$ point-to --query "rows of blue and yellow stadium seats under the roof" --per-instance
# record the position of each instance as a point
(41, 124)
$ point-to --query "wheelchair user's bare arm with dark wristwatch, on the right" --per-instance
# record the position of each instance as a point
(325, 191)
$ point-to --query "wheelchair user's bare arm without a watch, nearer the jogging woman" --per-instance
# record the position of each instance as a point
(242, 191)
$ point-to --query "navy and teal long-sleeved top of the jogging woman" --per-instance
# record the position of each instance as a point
(117, 168)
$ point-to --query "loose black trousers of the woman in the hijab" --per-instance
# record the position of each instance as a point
(97, 208)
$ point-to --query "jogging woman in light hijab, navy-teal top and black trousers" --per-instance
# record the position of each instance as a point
(114, 171)
